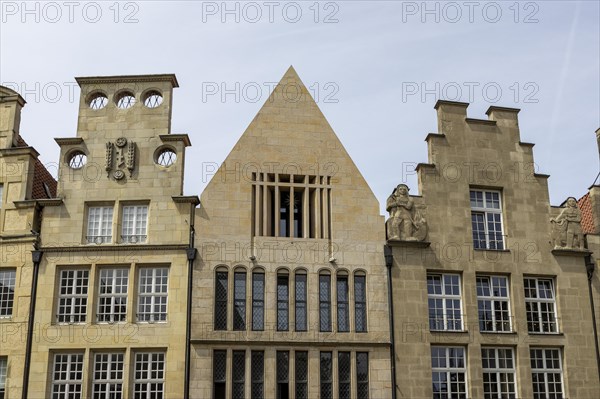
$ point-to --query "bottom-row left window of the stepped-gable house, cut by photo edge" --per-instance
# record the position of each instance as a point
(448, 372)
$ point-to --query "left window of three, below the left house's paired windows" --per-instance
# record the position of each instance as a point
(72, 297)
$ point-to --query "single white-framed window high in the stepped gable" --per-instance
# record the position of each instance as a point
(486, 220)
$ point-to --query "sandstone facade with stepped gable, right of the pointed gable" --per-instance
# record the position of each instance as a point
(470, 156)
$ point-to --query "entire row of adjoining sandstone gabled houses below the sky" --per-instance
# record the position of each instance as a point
(283, 280)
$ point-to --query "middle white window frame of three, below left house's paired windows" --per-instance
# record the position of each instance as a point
(113, 275)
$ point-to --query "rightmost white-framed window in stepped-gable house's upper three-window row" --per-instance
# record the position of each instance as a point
(540, 305)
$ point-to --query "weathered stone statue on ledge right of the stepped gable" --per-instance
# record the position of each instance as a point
(566, 228)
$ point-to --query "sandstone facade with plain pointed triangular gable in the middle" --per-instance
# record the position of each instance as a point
(289, 146)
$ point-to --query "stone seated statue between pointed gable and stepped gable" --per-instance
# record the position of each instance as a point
(405, 223)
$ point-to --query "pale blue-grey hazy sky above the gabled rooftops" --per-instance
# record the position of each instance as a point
(376, 69)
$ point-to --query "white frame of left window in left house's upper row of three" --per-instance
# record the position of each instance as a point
(73, 296)
